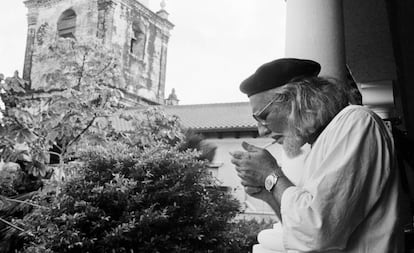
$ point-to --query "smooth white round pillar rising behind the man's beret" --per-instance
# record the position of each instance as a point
(315, 30)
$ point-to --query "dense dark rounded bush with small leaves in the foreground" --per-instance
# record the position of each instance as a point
(158, 199)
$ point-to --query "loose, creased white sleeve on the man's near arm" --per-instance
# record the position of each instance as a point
(340, 191)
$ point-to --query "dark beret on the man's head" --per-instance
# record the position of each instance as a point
(278, 73)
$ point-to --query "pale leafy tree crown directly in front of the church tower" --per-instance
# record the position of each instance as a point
(82, 76)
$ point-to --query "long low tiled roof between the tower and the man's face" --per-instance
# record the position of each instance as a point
(204, 117)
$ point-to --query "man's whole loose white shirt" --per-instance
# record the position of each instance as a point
(347, 200)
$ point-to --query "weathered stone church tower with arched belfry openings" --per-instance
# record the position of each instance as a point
(138, 36)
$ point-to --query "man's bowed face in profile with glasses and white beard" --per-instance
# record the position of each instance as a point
(273, 123)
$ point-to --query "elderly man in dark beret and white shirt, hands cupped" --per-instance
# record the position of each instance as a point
(347, 198)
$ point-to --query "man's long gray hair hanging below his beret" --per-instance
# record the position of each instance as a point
(311, 103)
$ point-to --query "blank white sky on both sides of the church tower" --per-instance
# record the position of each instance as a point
(214, 45)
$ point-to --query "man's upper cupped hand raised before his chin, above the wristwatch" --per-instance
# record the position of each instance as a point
(253, 165)
